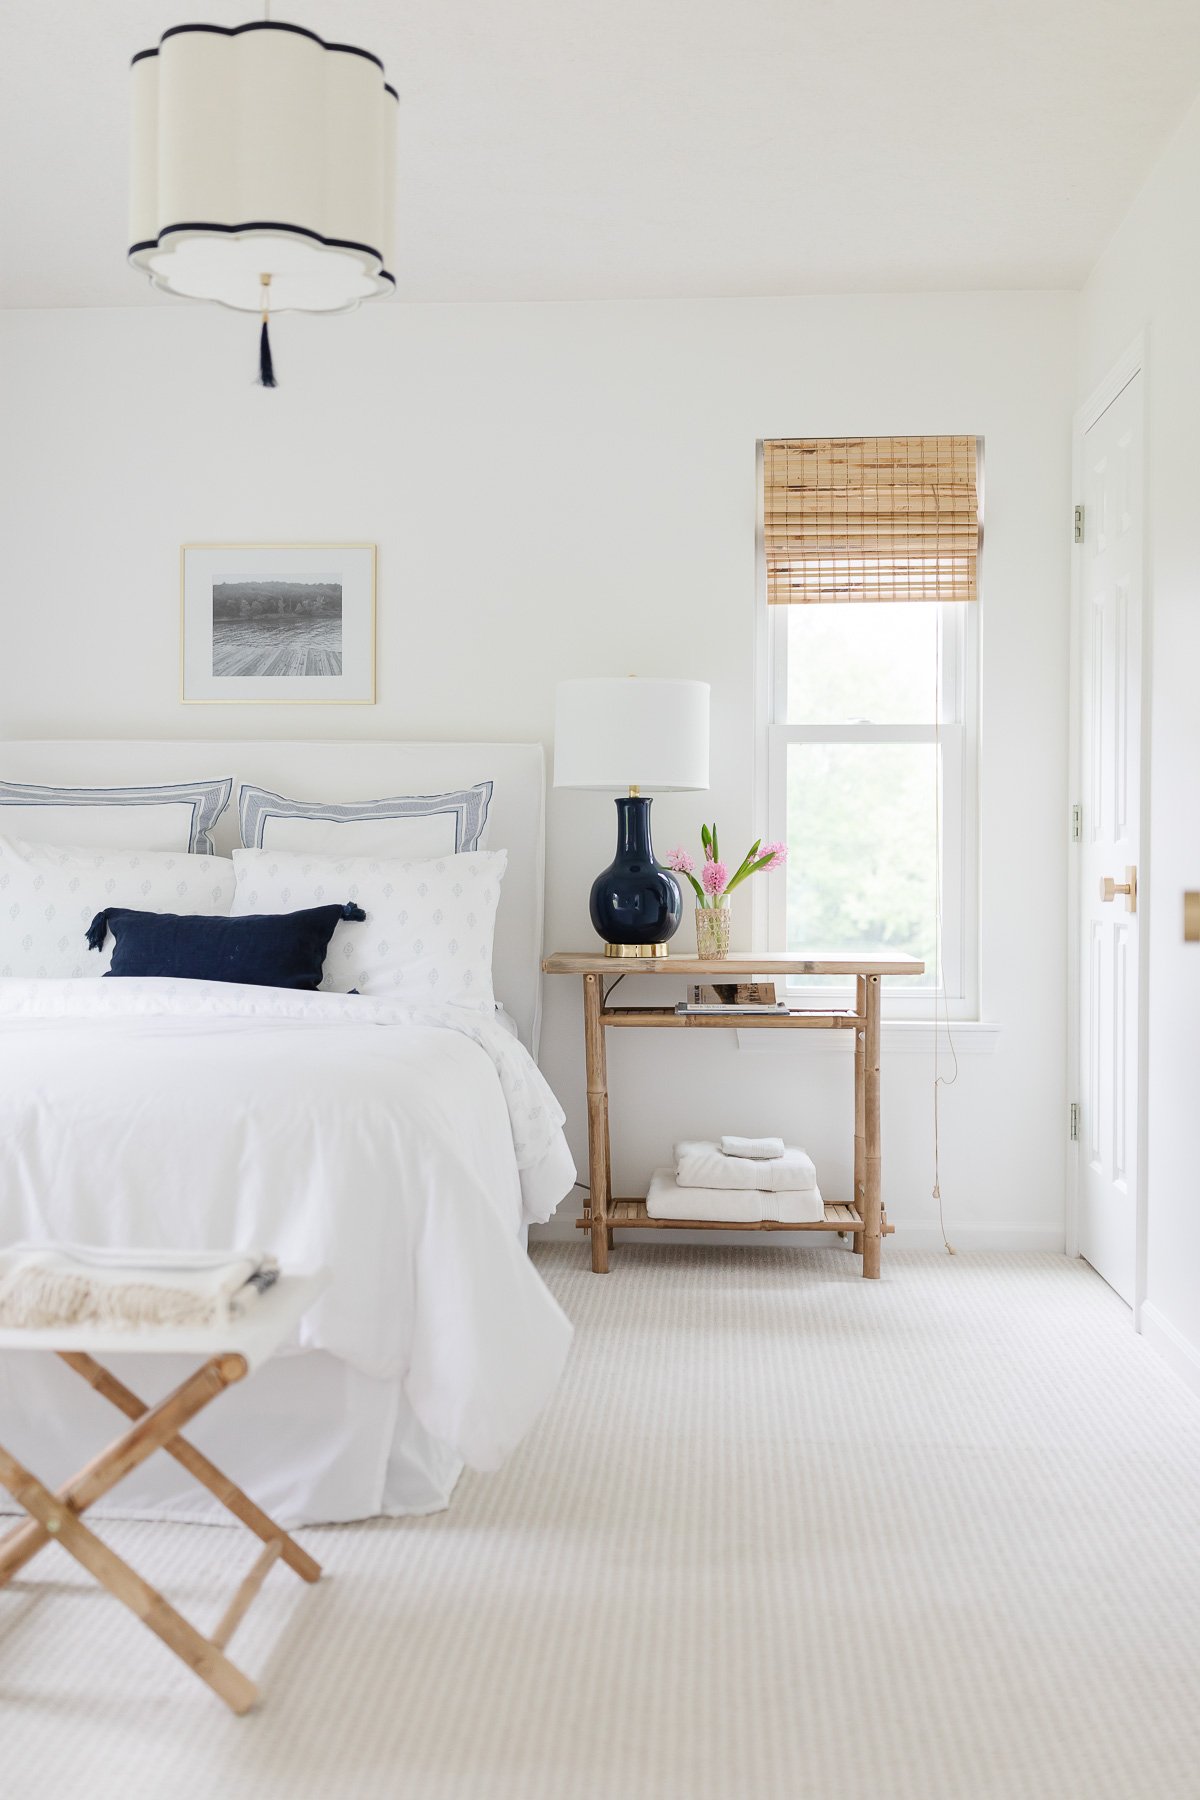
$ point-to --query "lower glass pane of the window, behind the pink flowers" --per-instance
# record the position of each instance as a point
(863, 849)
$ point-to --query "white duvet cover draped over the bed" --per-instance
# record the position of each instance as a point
(400, 1149)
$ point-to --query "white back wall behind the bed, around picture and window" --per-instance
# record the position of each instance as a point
(564, 490)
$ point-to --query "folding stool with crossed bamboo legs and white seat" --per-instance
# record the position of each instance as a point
(231, 1354)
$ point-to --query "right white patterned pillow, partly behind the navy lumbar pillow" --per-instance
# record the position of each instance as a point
(429, 930)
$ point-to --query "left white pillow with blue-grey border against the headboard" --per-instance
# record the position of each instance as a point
(132, 818)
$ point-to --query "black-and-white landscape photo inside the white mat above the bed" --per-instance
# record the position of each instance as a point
(289, 625)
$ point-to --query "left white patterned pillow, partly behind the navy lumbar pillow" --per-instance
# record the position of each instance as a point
(49, 897)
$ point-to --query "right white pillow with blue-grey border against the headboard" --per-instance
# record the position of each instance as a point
(407, 827)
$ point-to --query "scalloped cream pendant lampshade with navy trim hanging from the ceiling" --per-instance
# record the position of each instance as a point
(264, 150)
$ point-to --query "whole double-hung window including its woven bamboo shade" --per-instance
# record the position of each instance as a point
(872, 573)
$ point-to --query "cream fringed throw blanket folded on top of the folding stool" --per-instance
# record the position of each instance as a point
(129, 1290)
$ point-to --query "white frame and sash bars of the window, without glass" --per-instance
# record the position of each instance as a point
(958, 733)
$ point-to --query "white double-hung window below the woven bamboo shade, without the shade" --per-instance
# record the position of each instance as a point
(872, 777)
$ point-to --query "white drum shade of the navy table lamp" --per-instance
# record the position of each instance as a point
(632, 732)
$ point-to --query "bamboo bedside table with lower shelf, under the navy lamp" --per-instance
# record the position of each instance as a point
(864, 1214)
